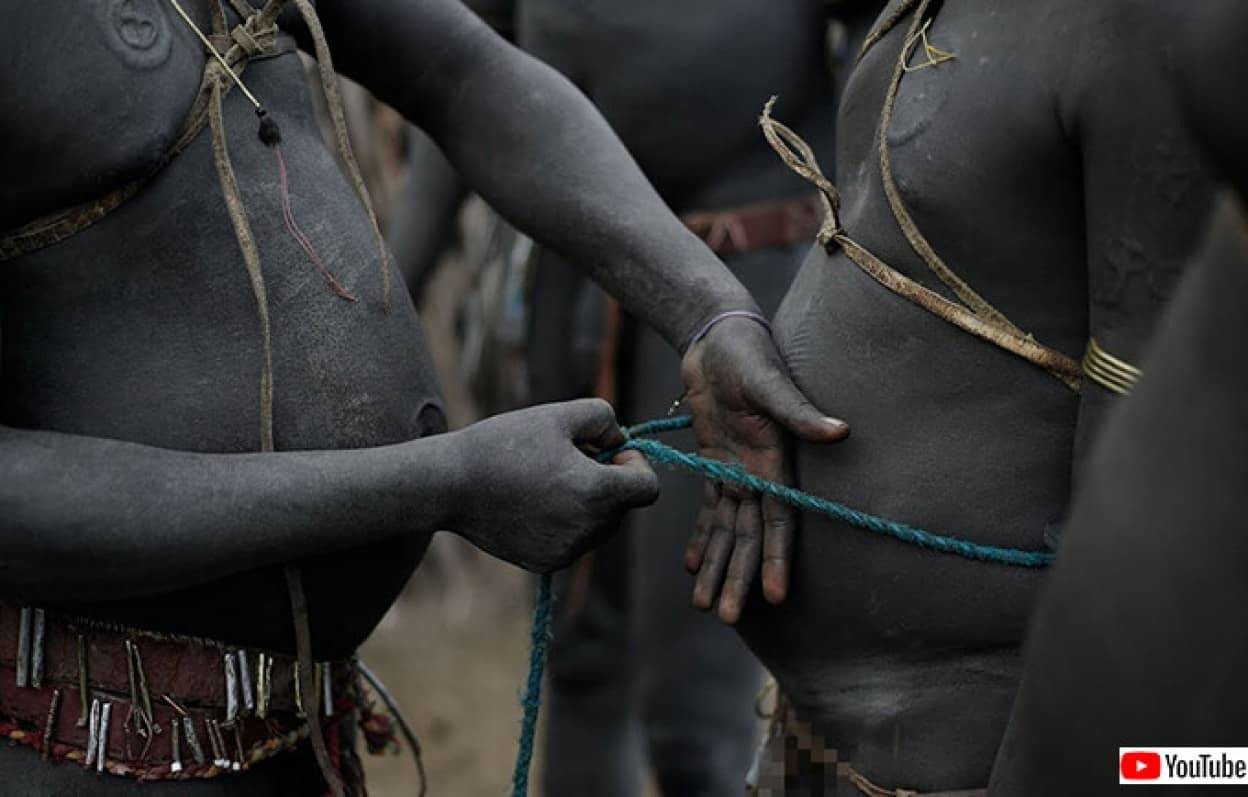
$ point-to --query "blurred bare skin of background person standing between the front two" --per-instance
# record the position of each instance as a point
(640, 679)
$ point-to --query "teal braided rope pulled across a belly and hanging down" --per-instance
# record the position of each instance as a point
(724, 473)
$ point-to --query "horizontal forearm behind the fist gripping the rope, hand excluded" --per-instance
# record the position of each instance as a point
(84, 518)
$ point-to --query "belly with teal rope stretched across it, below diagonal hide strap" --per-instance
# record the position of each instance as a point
(949, 435)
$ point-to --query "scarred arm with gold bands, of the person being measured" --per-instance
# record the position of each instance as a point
(1146, 190)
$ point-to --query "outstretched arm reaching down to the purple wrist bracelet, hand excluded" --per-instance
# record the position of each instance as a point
(539, 152)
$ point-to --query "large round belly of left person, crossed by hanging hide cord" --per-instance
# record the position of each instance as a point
(145, 329)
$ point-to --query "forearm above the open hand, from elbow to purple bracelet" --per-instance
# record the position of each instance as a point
(571, 185)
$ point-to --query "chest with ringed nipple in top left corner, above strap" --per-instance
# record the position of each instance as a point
(100, 89)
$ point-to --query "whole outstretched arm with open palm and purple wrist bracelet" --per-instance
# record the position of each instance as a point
(539, 152)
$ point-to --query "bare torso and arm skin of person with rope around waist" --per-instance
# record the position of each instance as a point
(1028, 162)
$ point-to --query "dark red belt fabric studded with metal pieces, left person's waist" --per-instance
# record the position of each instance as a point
(190, 672)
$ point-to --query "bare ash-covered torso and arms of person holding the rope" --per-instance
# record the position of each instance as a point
(132, 351)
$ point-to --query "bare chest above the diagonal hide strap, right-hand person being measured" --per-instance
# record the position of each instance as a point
(978, 158)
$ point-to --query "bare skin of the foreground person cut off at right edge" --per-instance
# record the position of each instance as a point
(1136, 642)
